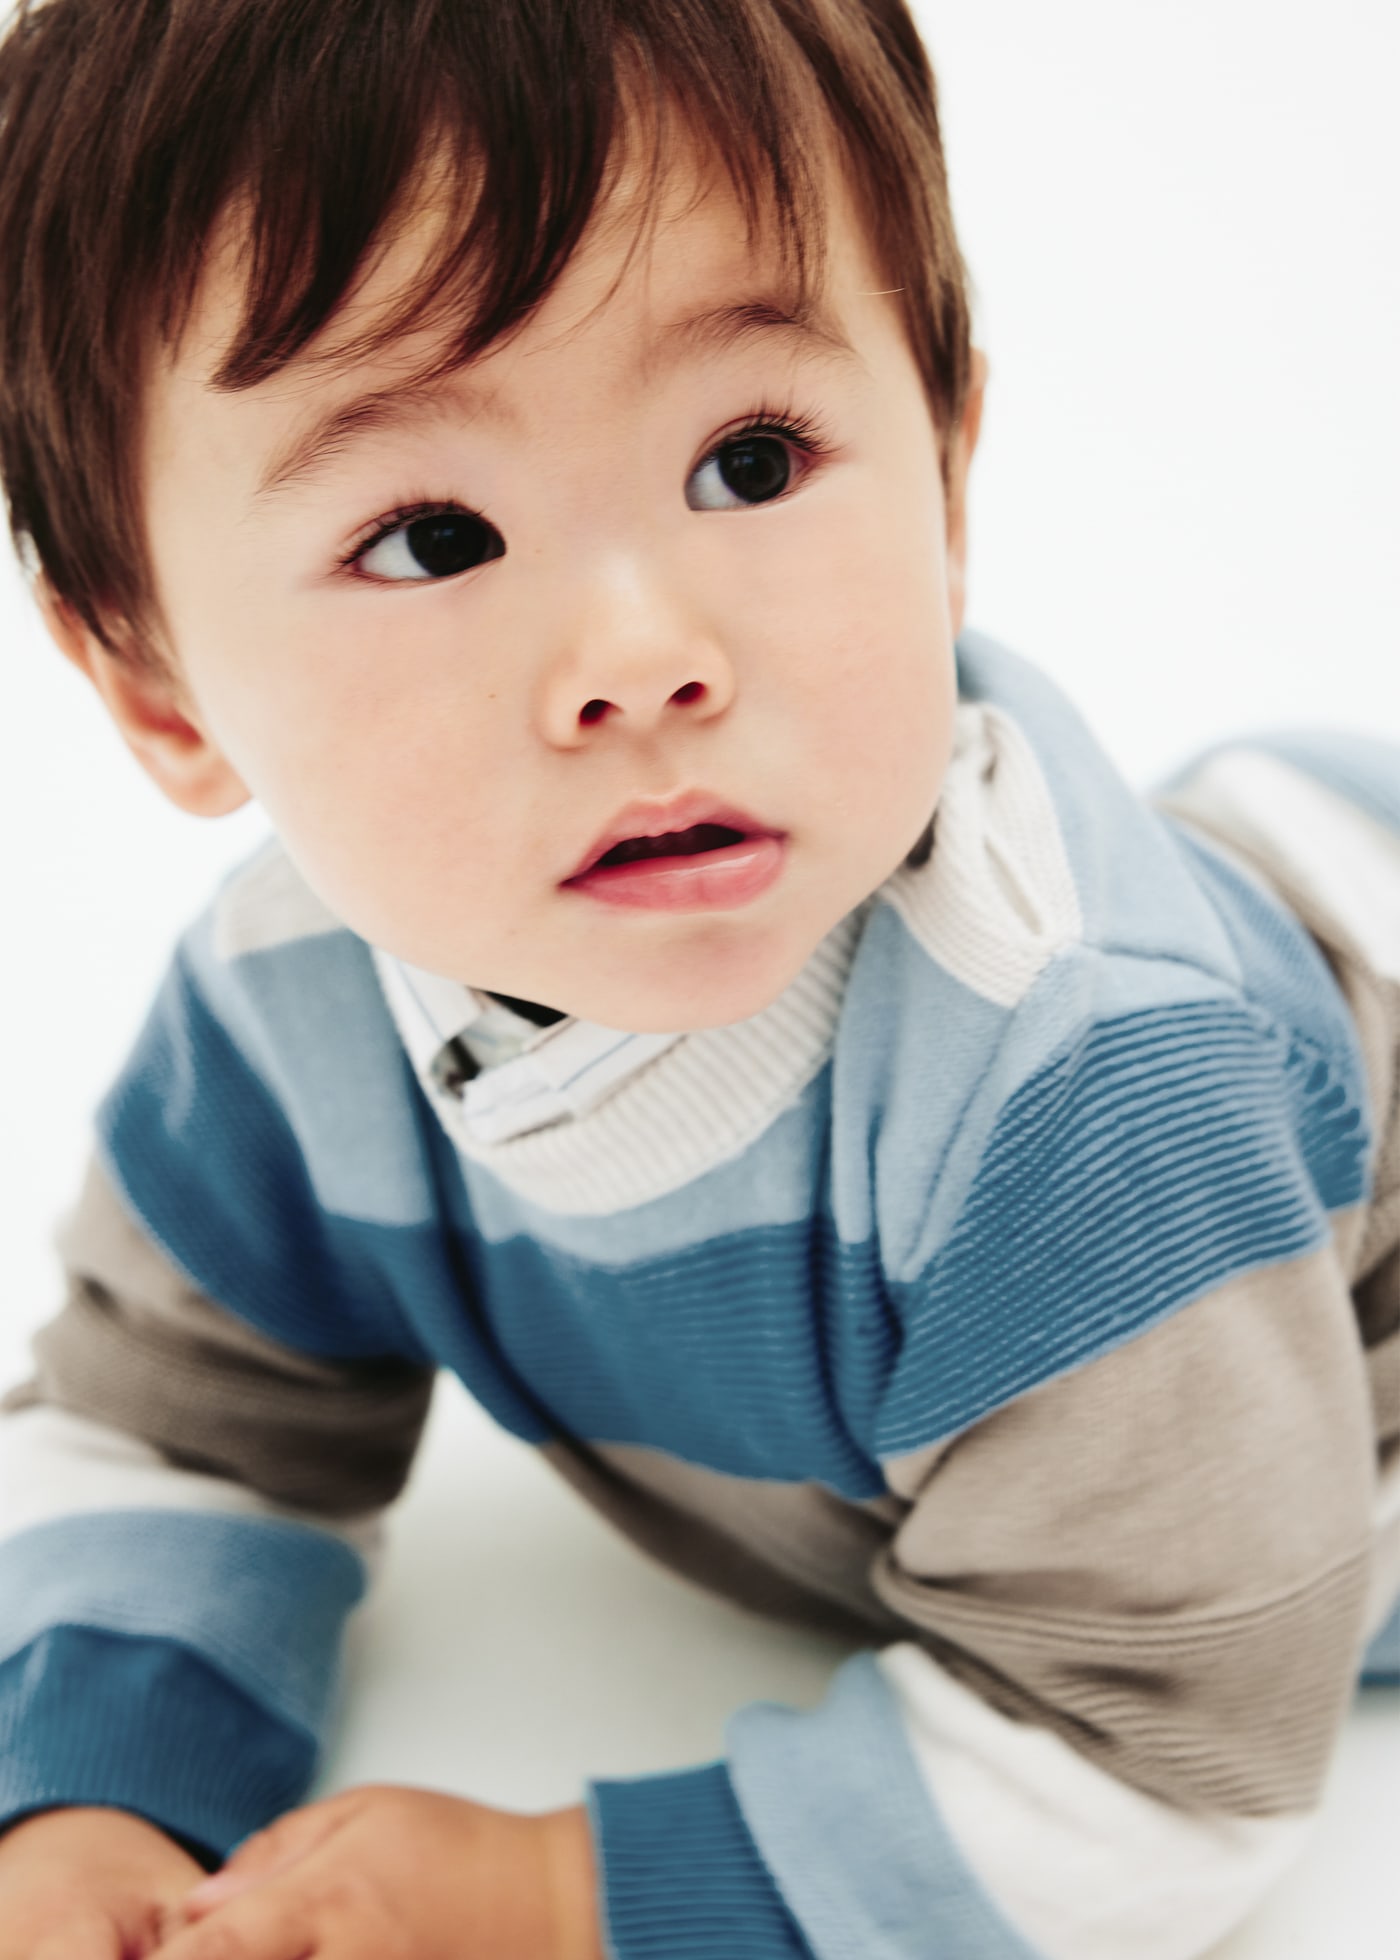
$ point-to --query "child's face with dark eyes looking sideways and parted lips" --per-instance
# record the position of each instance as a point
(426, 730)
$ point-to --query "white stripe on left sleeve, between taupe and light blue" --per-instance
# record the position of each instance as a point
(60, 1465)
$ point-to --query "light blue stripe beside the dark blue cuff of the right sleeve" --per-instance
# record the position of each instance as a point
(846, 1824)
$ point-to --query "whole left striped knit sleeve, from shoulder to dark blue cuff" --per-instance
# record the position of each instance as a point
(195, 1475)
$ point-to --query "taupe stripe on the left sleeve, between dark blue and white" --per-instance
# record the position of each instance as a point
(140, 1349)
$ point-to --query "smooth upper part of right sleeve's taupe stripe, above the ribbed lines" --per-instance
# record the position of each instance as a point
(1223, 1453)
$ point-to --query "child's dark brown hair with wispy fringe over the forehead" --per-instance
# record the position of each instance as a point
(130, 128)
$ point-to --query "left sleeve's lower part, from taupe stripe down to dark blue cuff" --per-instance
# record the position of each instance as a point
(189, 1514)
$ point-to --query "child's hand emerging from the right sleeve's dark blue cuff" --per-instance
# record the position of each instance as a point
(387, 1873)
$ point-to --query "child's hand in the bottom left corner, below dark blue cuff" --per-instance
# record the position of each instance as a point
(87, 1885)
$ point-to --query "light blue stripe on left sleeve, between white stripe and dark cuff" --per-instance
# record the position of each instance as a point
(262, 1600)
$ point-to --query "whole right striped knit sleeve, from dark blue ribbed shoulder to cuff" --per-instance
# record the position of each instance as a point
(1132, 1436)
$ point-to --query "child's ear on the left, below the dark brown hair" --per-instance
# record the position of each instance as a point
(152, 710)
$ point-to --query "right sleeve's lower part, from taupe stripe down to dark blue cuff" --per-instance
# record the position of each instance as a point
(1136, 1606)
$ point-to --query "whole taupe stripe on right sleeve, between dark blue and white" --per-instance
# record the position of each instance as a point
(1166, 1557)
